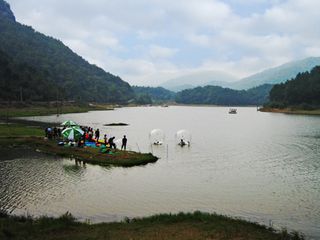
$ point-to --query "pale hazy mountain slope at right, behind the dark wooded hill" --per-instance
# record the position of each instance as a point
(278, 74)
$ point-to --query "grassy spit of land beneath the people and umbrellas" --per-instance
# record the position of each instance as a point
(15, 135)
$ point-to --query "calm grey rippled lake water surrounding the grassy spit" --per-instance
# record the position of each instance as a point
(263, 167)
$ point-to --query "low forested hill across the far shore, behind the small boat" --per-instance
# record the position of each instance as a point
(224, 96)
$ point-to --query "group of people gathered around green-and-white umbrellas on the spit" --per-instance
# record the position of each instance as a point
(89, 135)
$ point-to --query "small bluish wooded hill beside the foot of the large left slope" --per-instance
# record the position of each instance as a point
(153, 94)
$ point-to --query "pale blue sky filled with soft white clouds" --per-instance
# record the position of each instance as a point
(147, 42)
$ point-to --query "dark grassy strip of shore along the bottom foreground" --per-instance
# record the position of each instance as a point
(182, 226)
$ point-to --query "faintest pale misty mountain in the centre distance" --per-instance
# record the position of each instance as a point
(217, 78)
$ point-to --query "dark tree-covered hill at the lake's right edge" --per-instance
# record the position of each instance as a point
(303, 91)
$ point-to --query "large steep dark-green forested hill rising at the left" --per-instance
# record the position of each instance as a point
(49, 62)
